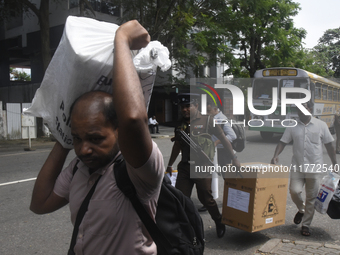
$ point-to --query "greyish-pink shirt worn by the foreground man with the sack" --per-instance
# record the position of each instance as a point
(111, 225)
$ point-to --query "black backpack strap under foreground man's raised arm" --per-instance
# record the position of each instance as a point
(125, 184)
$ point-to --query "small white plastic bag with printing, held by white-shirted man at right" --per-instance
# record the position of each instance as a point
(328, 185)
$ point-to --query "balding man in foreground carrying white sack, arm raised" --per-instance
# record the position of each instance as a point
(110, 225)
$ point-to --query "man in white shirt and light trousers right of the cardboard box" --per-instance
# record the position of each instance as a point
(308, 136)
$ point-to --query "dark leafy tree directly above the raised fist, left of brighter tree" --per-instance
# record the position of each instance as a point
(188, 28)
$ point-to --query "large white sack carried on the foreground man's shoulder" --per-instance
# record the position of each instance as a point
(83, 62)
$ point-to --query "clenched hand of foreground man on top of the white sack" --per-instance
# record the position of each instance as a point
(132, 32)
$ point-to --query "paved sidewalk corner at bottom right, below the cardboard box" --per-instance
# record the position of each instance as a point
(287, 247)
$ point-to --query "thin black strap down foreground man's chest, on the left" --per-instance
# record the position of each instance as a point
(81, 212)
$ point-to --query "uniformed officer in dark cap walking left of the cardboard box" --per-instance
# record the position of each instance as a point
(194, 123)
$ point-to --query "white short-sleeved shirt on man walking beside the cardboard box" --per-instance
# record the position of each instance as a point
(307, 144)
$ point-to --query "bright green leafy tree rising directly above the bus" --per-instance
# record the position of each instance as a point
(263, 31)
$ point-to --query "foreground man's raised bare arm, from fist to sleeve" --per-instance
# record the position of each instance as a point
(134, 138)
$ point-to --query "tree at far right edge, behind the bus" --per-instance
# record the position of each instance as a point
(328, 50)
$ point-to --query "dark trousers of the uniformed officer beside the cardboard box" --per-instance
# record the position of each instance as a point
(203, 186)
